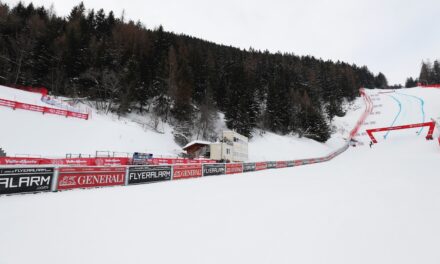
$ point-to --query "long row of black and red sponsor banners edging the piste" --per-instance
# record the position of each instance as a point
(15, 180)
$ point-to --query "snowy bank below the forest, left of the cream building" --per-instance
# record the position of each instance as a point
(54, 136)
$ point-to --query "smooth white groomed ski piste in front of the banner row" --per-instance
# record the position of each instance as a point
(369, 205)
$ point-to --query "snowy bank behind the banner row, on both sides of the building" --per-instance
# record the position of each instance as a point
(109, 133)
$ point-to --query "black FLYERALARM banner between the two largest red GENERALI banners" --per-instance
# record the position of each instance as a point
(147, 174)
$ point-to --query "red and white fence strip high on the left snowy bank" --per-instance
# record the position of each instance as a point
(42, 109)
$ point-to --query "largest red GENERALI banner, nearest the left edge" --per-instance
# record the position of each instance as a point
(86, 177)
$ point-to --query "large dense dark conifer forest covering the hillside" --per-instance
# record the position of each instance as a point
(184, 81)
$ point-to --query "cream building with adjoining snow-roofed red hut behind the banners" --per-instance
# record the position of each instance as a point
(231, 147)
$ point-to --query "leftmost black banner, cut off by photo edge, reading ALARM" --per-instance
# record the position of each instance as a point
(22, 180)
